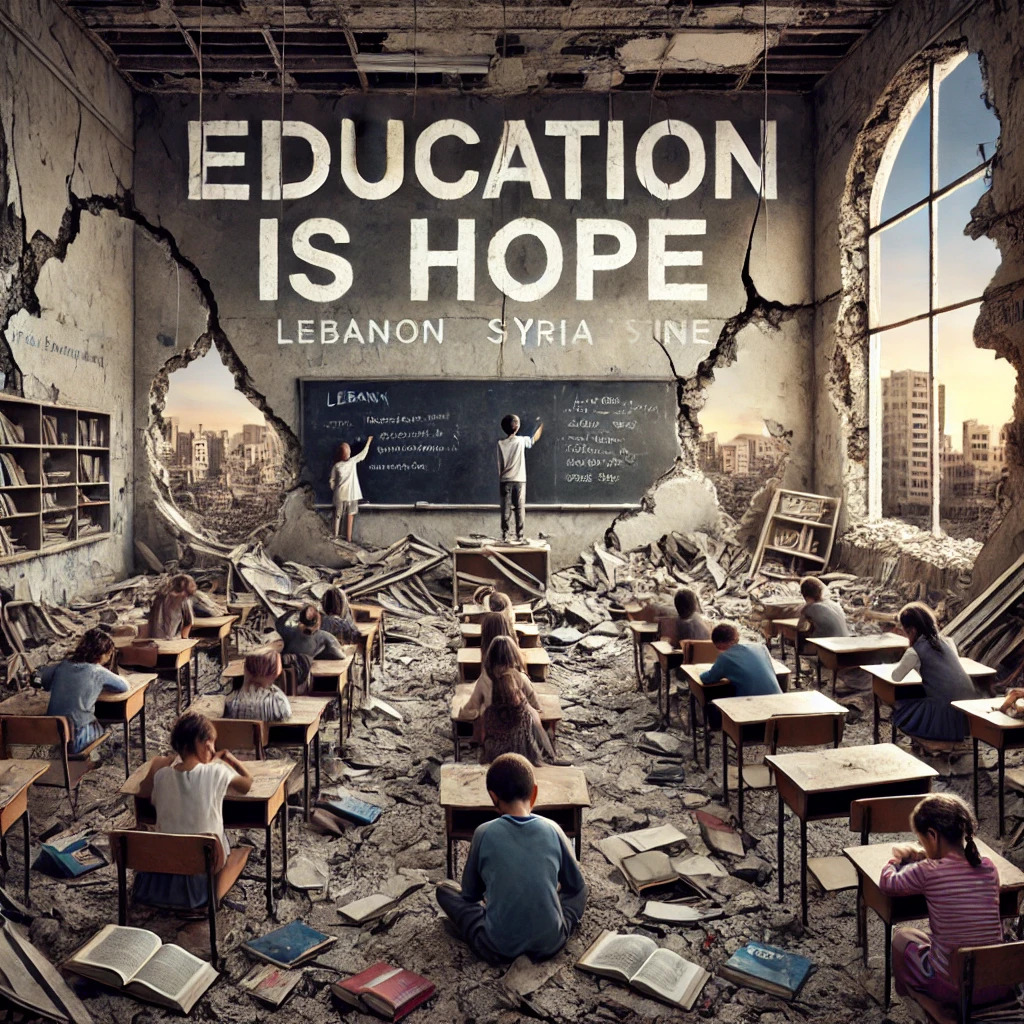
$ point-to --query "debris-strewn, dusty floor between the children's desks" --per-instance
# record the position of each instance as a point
(397, 764)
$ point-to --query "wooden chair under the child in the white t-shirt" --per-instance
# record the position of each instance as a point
(175, 855)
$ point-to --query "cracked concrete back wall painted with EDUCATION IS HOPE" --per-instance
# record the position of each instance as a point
(201, 278)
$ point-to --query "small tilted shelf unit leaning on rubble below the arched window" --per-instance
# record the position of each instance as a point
(799, 532)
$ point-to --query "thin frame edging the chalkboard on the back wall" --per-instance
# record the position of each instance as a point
(477, 506)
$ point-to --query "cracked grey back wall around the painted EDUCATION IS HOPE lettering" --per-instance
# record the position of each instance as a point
(761, 281)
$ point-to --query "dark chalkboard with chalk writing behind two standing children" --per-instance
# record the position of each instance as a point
(605, 443)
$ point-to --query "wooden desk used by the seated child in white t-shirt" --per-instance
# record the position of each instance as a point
(258, 809)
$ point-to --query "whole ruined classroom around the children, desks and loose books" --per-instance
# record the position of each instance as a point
(757, 270)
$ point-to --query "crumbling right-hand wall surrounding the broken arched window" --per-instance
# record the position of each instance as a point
(857, 110)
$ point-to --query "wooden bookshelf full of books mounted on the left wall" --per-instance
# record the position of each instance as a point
(55, 478)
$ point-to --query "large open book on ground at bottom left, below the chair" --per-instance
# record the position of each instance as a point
(135, 961)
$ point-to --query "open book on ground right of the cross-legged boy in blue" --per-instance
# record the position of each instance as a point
(646, 966)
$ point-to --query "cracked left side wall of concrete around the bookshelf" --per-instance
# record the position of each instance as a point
(66, 257)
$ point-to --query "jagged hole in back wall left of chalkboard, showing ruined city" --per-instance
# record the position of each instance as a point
(227, 463)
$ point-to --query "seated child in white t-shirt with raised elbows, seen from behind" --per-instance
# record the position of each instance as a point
(188, 793)
